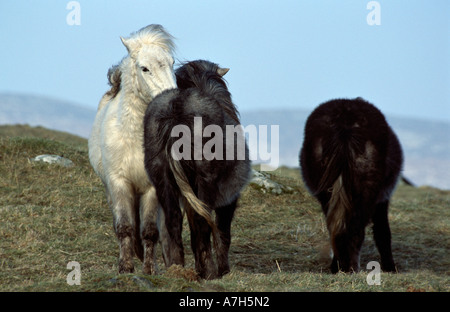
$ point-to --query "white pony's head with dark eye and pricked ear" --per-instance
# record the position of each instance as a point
(150, 62)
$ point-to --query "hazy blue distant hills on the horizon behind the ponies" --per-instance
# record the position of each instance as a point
(426, 144)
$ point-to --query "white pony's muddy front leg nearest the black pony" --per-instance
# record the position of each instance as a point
(149, 229)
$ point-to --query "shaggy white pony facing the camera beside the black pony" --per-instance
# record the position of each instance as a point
(116, 142)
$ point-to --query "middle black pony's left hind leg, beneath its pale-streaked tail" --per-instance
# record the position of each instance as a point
(201, 244)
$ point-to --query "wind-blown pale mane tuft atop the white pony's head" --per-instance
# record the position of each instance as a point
(155, 34)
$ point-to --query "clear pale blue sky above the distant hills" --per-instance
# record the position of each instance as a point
(282, 54)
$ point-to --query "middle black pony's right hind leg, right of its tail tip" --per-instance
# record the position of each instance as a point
(224, 216)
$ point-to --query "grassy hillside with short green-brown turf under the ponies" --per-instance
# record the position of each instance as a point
(51, 215)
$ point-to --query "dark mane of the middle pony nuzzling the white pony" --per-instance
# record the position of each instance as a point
(203, 75)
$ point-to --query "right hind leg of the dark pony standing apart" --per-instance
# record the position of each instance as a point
(382, 236)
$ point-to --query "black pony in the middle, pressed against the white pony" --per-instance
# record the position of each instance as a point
(187, 170)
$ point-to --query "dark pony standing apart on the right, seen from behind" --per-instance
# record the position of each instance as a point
(350, 161)
